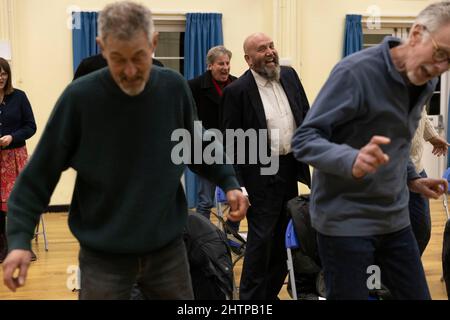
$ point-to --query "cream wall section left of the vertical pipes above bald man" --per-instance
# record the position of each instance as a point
(44, 59)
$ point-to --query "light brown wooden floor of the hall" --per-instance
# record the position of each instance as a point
(49, 276)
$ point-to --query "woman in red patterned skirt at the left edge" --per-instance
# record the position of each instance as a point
(16, 125)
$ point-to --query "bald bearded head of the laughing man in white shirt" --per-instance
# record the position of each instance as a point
(261, 56)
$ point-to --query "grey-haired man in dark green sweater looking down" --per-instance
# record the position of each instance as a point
(128, 208)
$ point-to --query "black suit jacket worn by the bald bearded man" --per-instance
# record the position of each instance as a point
(242, 108)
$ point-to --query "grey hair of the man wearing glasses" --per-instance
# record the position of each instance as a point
(434, 16)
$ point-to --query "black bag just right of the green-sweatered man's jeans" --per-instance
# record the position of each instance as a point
(209, 259)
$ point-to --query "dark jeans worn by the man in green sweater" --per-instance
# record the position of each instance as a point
(162, 274)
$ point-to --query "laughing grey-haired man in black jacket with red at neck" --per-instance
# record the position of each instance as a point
(207, 91)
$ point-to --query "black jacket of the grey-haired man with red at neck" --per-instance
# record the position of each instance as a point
(207, 99)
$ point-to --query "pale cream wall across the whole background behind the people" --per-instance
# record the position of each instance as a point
(44, 63)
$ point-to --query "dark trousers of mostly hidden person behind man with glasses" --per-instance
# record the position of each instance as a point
(419, 214)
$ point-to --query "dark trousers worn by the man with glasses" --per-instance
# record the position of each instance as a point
(346, 260)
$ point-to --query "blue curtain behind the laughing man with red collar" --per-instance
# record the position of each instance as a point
(203, 31)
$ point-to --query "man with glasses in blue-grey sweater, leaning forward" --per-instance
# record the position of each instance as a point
(357, 136)
